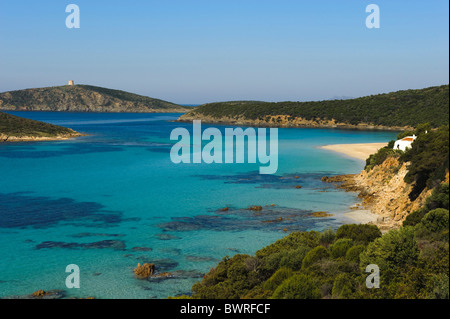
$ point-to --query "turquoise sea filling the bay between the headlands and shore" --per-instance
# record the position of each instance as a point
(113, 199)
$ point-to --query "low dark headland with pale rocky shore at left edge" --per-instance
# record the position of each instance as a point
(14, 128)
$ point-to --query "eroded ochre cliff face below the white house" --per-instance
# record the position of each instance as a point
(384, 192)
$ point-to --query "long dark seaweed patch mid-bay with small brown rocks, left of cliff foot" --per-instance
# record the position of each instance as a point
(269, 219)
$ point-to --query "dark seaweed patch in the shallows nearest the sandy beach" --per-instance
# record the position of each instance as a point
(287, 181)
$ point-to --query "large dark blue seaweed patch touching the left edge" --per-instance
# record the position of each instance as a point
(19, 210)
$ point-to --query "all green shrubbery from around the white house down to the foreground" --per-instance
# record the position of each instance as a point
(413, 259)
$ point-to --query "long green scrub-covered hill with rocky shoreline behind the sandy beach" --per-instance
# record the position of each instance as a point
(397, 110)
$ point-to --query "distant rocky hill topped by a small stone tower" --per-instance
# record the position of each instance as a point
(84, 98)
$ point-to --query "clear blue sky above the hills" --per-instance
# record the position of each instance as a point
(198, 51)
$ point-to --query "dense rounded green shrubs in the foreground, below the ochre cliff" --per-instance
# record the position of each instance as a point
(413, 262)
